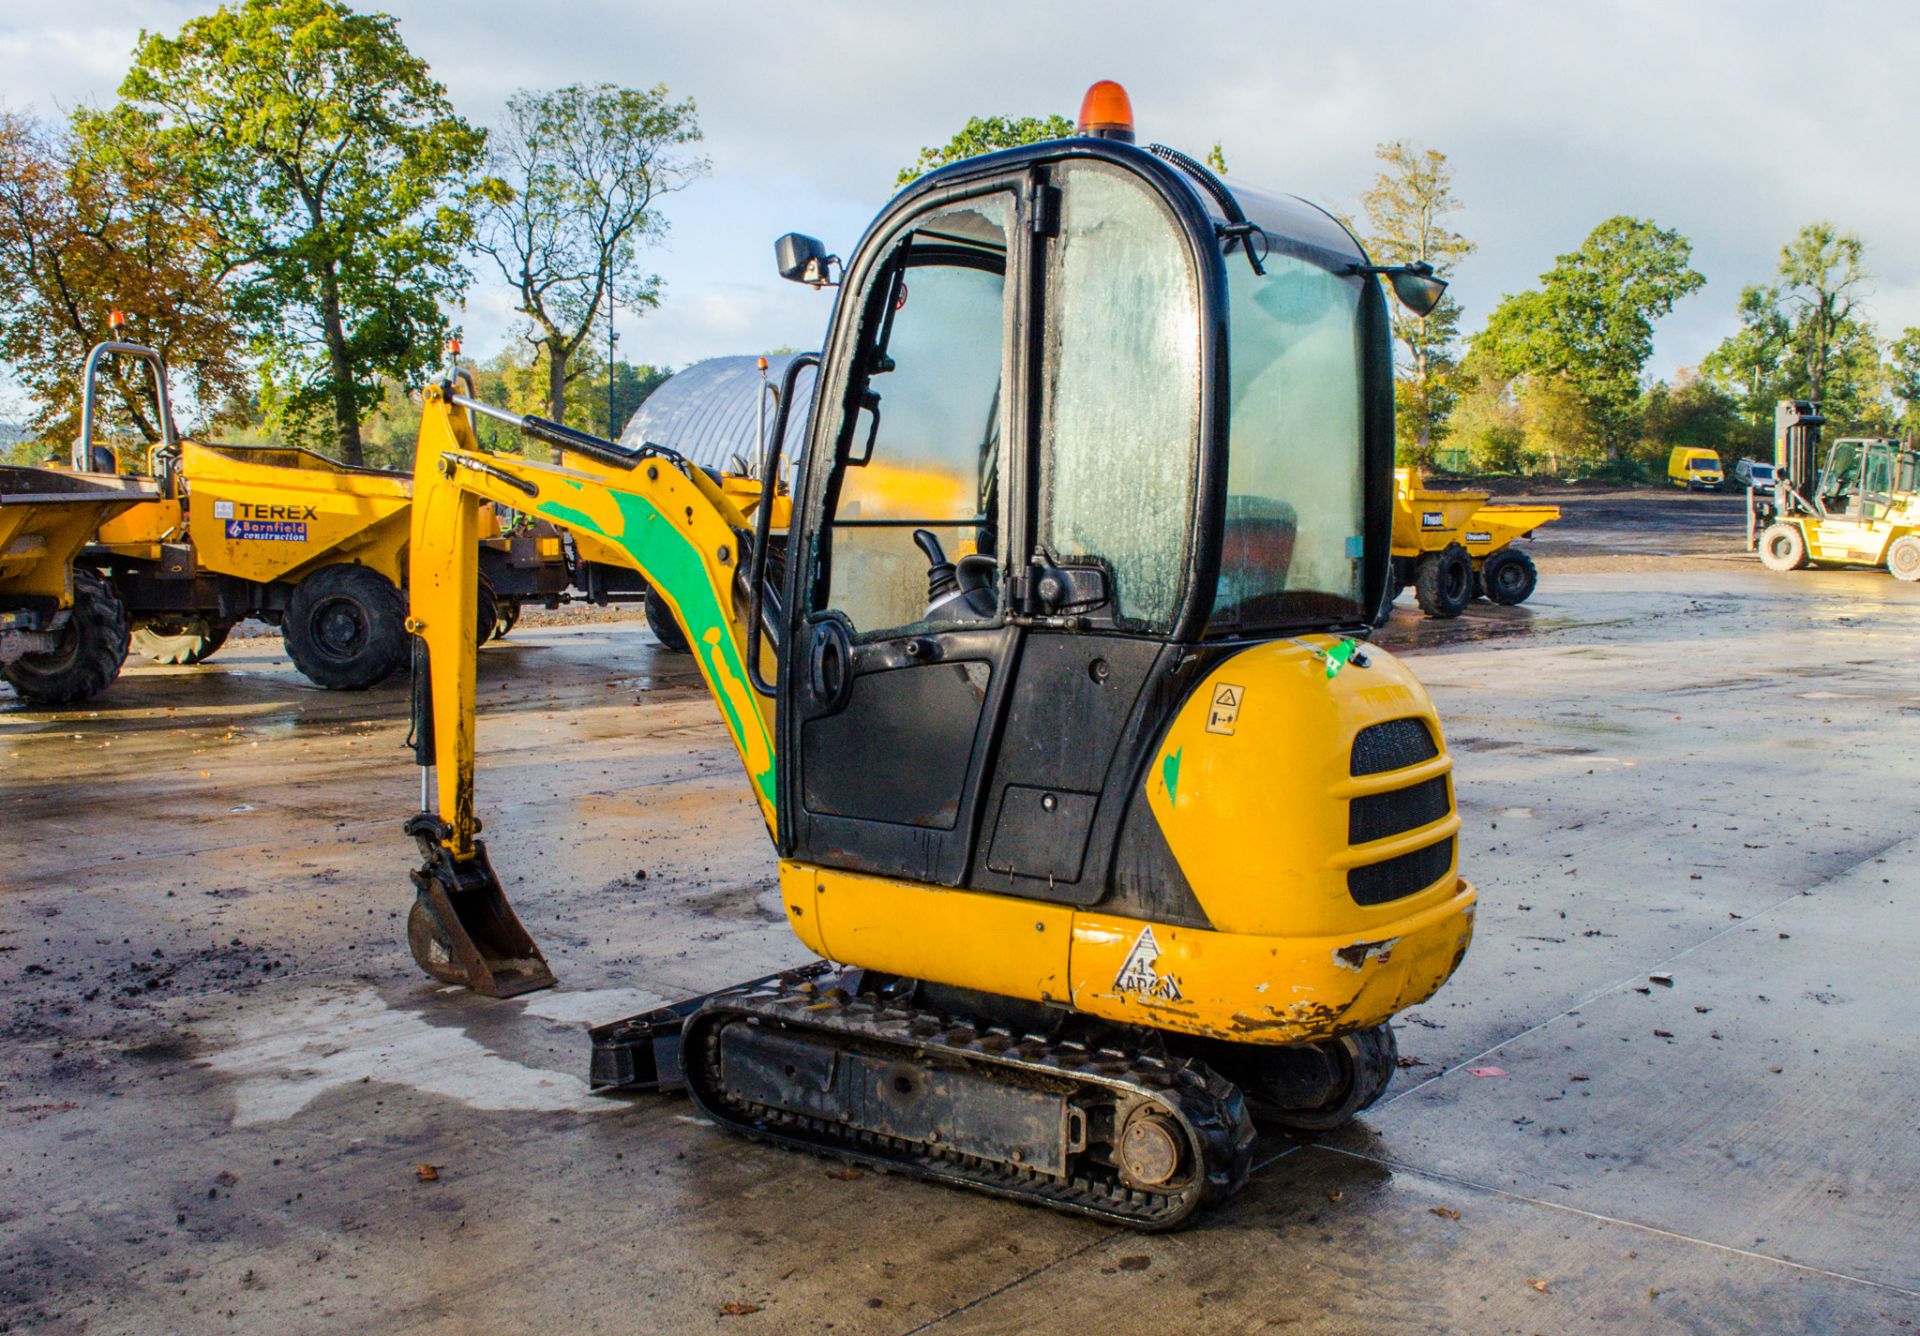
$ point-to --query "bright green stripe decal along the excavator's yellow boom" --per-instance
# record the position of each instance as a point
(667, 558)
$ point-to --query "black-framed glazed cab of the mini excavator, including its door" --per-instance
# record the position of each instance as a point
(1028, 394)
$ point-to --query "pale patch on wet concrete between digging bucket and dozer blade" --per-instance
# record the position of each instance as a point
(285, 1055)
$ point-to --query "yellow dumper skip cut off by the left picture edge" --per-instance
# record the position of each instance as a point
(47, 517)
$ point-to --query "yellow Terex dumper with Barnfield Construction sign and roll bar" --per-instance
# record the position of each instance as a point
(295, 538)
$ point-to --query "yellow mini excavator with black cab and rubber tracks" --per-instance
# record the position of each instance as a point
(1053, 694)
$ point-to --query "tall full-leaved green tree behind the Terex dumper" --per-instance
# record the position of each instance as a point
(329, 166)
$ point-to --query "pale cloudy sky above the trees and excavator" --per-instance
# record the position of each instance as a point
(1729, 122)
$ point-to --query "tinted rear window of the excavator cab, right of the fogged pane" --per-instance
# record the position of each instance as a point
(1295, 446)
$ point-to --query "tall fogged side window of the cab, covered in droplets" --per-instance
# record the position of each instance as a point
(1120, 416)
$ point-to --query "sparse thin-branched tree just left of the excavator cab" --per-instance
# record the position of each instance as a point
(573, 195)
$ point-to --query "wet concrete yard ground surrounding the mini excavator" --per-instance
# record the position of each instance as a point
(1675, 1085)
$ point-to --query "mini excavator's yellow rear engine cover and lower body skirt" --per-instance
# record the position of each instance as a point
(1291, 955)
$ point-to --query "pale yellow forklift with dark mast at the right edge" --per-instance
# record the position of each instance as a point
(1860, 508)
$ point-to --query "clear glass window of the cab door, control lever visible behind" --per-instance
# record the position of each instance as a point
(921, 448)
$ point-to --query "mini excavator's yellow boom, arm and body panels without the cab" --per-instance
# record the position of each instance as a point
(1255, 805)
